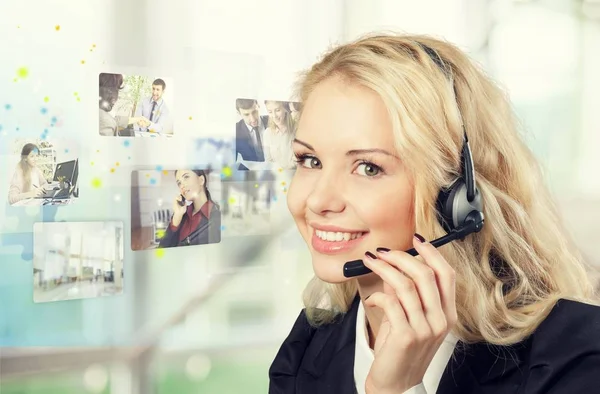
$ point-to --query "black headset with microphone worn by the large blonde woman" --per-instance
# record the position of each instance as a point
(459, 206)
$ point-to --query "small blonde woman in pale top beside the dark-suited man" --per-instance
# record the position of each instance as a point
(279, 135)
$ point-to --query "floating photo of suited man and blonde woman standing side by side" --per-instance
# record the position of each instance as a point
(264, 137)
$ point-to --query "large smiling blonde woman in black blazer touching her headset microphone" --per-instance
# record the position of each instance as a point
(509, 309)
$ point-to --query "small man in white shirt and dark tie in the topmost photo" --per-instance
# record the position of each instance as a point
(155, 110)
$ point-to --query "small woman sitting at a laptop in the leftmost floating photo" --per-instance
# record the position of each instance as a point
(28, 179)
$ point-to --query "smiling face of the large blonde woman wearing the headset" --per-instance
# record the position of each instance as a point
(350, 193)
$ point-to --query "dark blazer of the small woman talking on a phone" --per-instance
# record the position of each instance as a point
(207, 232)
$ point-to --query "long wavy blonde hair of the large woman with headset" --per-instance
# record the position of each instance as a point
(508, 276)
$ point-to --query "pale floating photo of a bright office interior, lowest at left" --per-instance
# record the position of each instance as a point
(75, 260)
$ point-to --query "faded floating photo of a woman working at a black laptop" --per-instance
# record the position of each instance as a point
(46, 174)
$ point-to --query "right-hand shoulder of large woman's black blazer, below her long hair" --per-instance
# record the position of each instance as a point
(561, 356)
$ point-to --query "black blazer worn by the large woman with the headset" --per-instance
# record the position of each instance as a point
(561, 356)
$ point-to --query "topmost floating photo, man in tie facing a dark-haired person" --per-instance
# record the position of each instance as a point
(134, 106)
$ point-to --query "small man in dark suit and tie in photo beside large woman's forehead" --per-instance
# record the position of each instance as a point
(249, 132)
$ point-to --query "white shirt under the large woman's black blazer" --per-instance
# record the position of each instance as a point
(364, 356)
